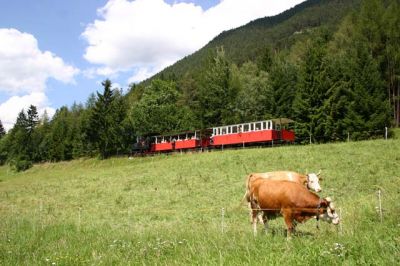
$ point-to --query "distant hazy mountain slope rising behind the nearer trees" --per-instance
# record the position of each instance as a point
(248, 42)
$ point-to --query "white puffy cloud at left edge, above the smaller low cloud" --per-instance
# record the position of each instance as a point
(24, 68)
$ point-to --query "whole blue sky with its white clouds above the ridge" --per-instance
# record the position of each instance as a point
(55, 53)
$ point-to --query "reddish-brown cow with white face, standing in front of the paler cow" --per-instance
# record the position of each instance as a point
(289, 199)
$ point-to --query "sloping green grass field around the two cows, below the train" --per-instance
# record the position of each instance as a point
(167, 210)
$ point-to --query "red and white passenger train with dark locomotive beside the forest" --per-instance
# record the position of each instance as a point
(243, 134)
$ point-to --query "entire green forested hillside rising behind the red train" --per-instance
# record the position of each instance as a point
(332, 66)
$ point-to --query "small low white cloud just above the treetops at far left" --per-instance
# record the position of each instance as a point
(10, 109)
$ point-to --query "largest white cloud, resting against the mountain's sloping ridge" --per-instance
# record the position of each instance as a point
(145, 36)
